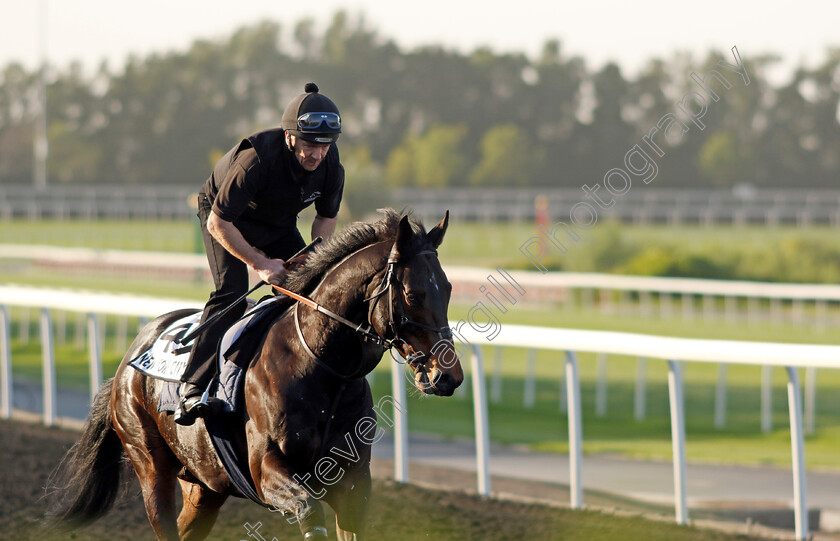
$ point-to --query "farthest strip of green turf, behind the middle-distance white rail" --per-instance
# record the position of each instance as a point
(480, 244)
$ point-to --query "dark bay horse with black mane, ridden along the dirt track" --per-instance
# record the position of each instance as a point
(305, 394)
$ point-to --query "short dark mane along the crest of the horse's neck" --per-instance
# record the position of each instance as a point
(353, 238)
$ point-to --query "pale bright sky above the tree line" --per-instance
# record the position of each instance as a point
(629, 33)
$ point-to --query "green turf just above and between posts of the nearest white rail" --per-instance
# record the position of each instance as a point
(544, 427)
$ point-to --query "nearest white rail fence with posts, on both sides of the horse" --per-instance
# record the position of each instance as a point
(675, 351)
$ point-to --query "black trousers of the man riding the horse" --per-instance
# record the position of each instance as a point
(231, 278)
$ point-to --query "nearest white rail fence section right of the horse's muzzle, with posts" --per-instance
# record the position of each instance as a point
(675, 351)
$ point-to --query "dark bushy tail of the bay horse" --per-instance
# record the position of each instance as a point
(87, 481)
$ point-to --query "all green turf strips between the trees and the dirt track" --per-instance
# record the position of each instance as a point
(543, 427)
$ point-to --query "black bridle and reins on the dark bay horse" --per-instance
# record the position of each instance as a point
(367, 332)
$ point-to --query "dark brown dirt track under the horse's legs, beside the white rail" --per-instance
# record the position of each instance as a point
(28, 454)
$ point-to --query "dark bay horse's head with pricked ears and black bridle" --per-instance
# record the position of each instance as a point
(415, 294)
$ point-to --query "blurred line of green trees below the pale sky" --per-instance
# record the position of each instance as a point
(428, 116)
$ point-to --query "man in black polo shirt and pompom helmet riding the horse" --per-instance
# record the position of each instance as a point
(248, 212)
